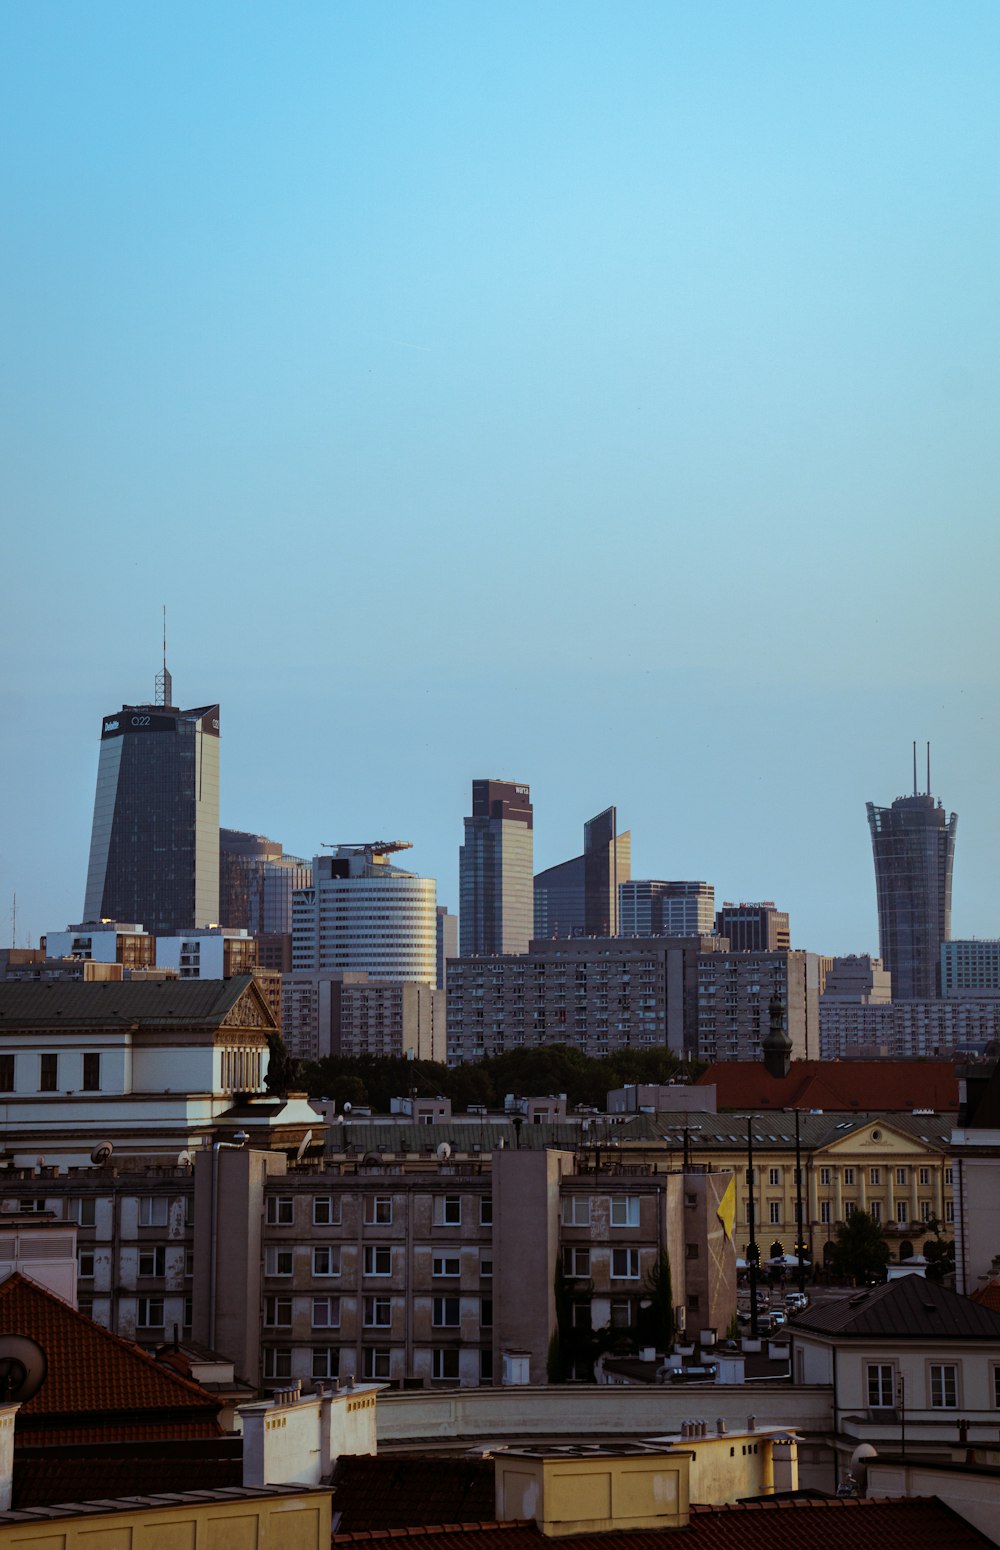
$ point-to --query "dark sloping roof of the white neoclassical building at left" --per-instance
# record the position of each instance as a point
(78, 1004)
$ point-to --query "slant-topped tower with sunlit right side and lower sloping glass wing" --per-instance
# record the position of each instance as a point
(581, 897)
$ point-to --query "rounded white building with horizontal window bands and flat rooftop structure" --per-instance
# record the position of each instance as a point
(362, 912)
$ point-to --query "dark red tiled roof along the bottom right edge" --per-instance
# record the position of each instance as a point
(785, 1524)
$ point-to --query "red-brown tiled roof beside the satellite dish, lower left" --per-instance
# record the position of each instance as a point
(98, 1386)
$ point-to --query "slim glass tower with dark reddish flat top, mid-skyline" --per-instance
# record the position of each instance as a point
(495, 870)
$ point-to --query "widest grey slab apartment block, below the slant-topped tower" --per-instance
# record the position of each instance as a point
(596, 994)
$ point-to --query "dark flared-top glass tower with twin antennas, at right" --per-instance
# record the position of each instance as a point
(914, 847)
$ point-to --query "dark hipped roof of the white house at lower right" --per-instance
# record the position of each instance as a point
(902, 1311)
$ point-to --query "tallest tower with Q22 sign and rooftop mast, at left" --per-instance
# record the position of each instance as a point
(154, 850)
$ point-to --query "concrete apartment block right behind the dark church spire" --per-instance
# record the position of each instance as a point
(734, 990)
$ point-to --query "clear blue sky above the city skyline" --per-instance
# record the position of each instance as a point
(602, 396)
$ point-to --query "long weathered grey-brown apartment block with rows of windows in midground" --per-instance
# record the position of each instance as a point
(443, 1273)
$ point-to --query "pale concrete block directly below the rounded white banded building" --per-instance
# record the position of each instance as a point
(329, 1013)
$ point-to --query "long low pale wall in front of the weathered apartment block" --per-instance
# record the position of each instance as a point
(598, 1411)
